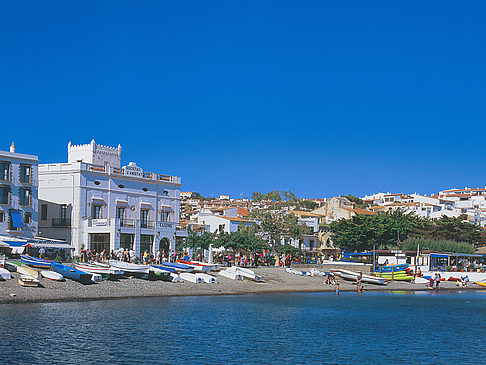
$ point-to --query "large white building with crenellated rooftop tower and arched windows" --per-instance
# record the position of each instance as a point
(93, 202)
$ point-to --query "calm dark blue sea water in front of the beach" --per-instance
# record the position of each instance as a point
(258, 329)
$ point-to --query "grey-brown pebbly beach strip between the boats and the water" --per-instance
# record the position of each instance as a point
(276, 281)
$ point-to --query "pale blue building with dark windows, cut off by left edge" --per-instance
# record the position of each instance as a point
(18, 194)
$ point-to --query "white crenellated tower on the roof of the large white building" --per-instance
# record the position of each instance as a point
(95, 154)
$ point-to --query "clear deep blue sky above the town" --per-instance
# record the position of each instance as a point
(322, 98)
